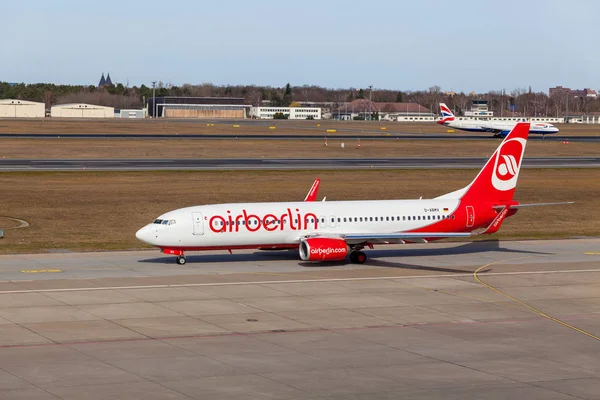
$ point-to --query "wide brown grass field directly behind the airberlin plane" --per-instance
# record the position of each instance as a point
(102, 211)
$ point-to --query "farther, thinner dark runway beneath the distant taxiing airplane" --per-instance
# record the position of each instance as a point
(354, 135)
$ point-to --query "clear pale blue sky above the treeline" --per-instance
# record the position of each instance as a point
(460, 45)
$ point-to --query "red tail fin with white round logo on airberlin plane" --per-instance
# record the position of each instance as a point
(497, 180)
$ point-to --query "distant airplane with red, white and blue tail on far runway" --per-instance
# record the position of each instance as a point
(498, 128)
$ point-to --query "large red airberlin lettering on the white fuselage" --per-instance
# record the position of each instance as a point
(268, 222)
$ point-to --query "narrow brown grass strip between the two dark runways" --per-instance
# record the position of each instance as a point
(189, 148)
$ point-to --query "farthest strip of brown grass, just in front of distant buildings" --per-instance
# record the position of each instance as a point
(67, 126)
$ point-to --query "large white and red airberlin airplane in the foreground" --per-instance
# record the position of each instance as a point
(327, 231)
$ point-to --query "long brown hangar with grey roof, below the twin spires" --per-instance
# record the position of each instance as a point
(198, 107)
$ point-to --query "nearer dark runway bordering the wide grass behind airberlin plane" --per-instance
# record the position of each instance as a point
(147, 164)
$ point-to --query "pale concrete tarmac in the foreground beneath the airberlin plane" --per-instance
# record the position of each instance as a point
(412, 323)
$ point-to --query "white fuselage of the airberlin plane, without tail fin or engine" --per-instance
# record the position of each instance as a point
(254, 225)
